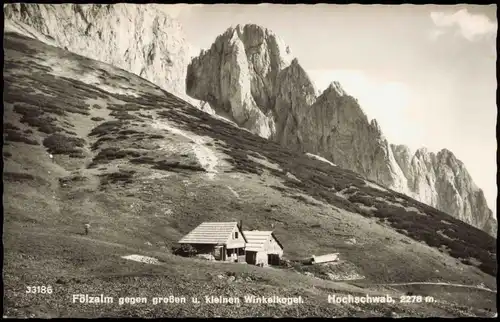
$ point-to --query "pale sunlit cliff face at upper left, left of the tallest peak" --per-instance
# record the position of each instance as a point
(136, 38)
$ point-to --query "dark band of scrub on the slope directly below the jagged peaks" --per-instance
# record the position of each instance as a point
(317, 177)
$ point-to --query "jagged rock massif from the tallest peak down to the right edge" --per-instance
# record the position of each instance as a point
(250, 76)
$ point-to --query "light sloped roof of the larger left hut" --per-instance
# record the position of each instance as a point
(210, 233)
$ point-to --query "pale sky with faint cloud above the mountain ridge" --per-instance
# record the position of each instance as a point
(426, 73)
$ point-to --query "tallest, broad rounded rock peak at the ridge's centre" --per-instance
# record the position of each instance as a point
(246, 74)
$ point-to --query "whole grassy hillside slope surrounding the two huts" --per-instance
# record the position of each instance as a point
(144, 168)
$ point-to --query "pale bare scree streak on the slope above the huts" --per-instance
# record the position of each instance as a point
(206, 156)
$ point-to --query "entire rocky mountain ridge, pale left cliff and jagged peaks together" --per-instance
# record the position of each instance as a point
(262, 88)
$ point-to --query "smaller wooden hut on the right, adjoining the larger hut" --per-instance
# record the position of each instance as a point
(262, 248)
